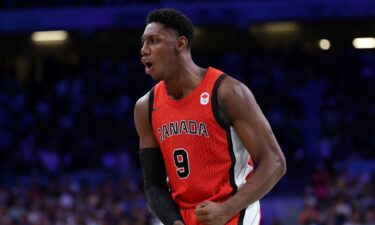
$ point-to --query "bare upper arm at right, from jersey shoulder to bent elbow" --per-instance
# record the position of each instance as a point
(247, 119)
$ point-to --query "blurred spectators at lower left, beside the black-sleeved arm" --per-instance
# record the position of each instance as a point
(64, 201)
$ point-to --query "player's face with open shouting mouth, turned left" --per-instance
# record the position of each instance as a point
(158, 50)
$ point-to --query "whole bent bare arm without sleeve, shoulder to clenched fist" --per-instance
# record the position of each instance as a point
(240, 106)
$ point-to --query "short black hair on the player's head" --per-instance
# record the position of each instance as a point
(173, 19)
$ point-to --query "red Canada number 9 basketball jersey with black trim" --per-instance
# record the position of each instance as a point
(204, 158)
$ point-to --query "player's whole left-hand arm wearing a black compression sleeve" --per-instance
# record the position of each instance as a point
(153, 168)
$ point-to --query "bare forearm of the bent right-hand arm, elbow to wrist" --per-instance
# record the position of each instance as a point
(265, 177)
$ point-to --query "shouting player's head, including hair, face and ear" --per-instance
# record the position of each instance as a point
(166, 39)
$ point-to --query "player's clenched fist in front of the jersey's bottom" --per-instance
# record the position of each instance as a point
(211, 213)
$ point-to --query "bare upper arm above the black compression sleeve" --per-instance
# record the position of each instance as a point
(142, 124)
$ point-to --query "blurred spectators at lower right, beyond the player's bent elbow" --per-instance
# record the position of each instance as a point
(339, 198)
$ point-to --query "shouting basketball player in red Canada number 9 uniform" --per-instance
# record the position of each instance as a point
(200, 131)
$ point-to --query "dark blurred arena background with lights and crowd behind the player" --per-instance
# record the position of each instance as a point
(68, 146)
